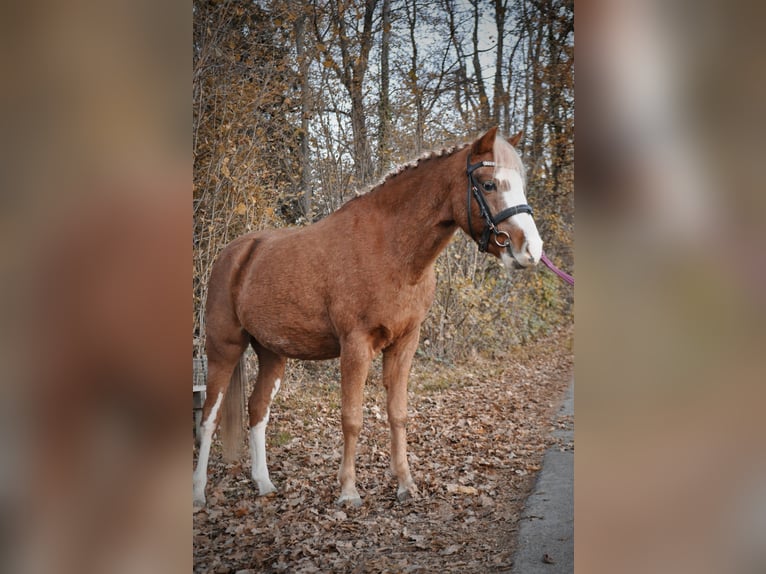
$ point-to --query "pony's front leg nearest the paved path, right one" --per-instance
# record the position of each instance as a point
(397, 360)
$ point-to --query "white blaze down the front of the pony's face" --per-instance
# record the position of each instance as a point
(510, 185)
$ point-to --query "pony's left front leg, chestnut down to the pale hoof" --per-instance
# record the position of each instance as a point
(355, 359)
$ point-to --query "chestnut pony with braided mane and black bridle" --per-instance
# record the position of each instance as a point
(354, 284)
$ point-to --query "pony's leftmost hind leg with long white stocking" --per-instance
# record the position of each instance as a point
(223, 354)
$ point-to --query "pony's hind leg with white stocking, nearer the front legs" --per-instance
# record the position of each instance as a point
(271, 369)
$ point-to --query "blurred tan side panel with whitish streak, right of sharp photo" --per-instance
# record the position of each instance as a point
(670, 467)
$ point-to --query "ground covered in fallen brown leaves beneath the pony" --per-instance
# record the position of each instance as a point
(476, 437)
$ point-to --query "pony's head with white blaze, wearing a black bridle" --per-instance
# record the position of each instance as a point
(499, 219)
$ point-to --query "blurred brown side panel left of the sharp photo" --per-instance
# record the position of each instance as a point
(95, 257)
